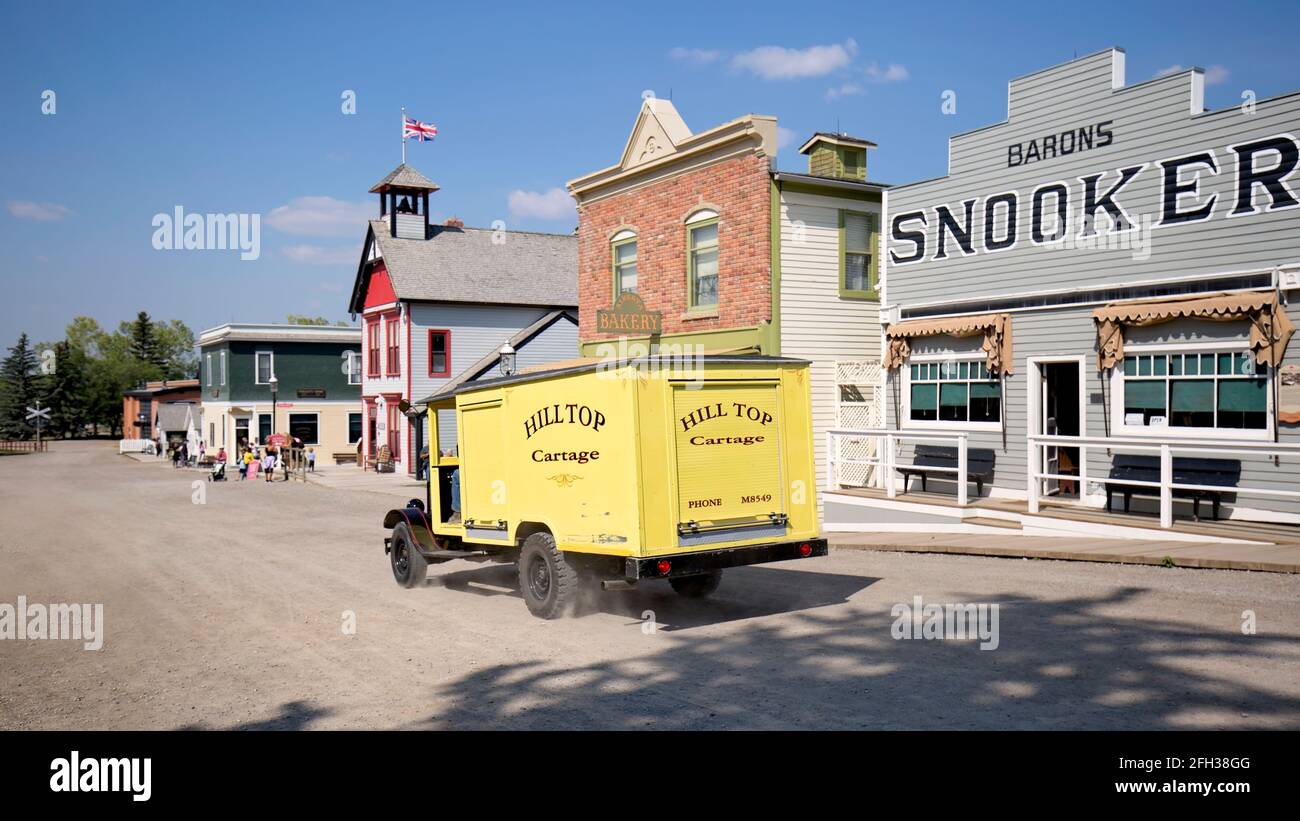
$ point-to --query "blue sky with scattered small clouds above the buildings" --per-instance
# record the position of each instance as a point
(237, 107)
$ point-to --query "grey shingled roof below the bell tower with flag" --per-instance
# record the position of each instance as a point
(465, 266)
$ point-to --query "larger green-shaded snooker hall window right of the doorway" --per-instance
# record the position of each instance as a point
(1208, 390)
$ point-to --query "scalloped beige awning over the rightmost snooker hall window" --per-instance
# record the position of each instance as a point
(1271, 327)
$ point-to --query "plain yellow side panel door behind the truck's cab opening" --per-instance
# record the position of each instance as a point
(483, 472)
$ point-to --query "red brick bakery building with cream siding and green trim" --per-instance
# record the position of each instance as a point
(733, 255)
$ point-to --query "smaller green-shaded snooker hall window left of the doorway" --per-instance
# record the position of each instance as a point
(955, 392)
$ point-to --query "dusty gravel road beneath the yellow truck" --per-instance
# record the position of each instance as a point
(232, 615)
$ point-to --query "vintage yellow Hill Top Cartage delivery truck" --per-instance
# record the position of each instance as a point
(618, 472)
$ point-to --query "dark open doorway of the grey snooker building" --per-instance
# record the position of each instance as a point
(1060, 414)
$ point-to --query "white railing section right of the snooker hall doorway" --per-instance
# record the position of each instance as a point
(1167, 450)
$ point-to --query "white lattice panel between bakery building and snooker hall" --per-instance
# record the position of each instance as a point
(857, 407)
